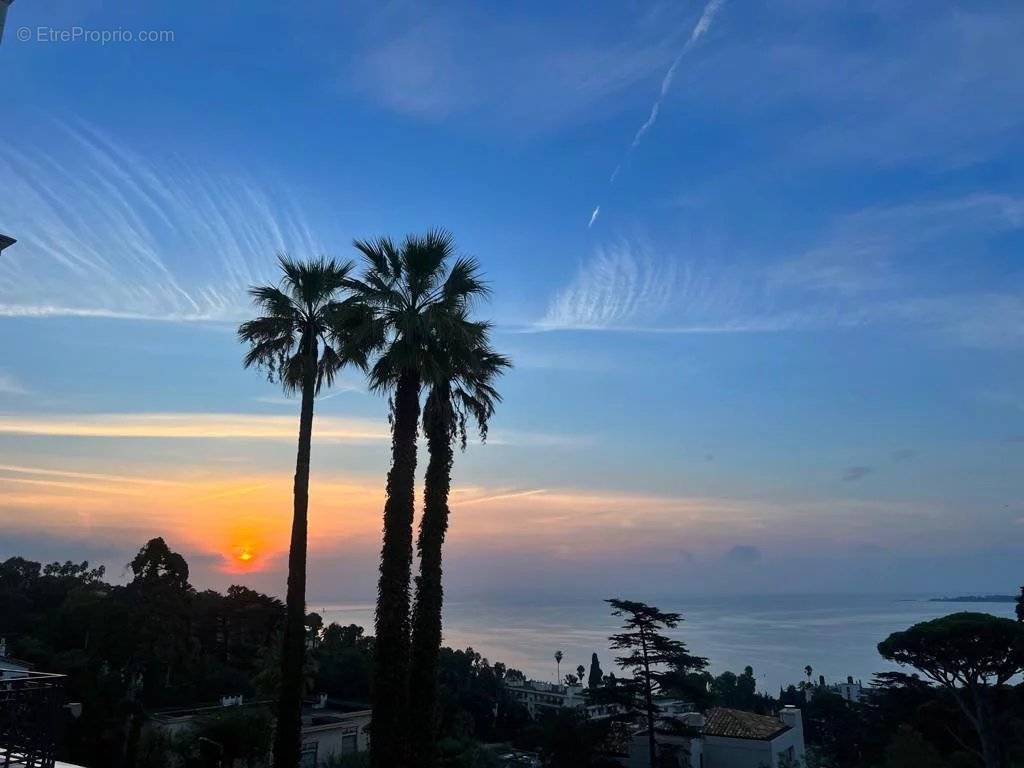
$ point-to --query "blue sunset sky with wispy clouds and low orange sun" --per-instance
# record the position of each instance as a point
(758, 266)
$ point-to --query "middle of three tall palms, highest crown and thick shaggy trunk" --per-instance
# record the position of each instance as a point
(417, 298)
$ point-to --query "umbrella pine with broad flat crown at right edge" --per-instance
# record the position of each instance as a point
(973, 656)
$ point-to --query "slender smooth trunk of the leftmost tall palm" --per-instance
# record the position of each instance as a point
(288, 737)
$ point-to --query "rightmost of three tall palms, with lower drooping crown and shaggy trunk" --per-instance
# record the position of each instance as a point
(462, 392)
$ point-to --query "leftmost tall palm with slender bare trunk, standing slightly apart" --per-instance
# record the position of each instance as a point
(304, 337)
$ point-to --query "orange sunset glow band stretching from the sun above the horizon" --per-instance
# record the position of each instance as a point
(240, 522)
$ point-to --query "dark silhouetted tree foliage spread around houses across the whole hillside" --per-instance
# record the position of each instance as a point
(157, 643)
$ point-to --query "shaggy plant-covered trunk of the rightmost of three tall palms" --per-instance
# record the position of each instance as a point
(430, 592)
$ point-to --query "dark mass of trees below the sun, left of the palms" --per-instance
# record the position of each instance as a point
(153, 644)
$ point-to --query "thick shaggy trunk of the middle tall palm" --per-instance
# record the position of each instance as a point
(389, 748)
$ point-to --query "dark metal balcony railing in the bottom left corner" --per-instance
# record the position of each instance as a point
(30, 716)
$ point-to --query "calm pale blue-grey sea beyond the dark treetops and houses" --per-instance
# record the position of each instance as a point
(837, 635)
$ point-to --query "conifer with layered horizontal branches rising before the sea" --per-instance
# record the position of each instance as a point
(653, 658)
